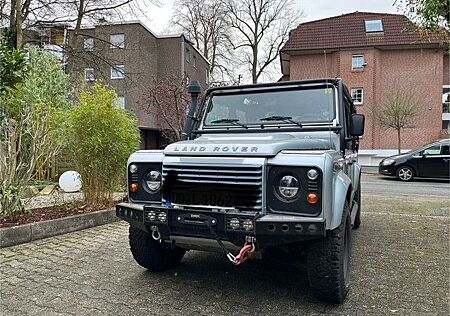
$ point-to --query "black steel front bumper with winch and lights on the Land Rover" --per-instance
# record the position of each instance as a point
(269, 230)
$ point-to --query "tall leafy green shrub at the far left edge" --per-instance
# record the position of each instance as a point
(32, 115)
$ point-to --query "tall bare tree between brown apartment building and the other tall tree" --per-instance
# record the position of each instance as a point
(206, 23)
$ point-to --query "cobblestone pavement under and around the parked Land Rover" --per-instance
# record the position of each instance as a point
(400, 267)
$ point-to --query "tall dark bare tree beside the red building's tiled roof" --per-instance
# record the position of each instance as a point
(262, 27)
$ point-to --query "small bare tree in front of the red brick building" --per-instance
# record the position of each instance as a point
(398, 112)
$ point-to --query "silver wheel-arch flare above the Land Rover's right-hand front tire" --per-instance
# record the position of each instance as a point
(342, 183)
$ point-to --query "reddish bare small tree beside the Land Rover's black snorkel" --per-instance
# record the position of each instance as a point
(168, 101)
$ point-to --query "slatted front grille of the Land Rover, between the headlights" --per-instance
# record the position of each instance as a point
(244, 182)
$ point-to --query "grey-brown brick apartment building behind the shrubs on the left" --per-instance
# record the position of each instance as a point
(130, 58)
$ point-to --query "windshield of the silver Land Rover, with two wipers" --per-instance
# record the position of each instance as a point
(312, 105)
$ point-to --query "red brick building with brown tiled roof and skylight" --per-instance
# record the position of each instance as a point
(375, 53)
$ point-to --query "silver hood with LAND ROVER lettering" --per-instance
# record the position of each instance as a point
(248, 145)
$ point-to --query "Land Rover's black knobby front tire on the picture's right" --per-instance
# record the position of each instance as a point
(328, 262)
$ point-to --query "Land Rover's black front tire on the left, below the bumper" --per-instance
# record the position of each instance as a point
(152, 254)
